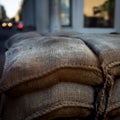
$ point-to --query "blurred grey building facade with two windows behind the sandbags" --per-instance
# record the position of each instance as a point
(85, 16)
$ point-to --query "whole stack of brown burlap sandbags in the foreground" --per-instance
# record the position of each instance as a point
(61, 76)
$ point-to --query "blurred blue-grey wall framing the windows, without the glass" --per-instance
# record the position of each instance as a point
(36, 13)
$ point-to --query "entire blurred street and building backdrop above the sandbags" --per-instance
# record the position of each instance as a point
(44, 16)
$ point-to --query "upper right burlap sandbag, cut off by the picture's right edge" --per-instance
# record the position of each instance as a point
(107, 48)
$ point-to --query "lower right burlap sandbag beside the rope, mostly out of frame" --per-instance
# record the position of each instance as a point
(114, 104)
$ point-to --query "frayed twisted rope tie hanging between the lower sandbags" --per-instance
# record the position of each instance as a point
(103, 98)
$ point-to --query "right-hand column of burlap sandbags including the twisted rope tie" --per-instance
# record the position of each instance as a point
(107, 48)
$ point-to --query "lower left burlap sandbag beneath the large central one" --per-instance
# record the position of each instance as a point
(61, 100)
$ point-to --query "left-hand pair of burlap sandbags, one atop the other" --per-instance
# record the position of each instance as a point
(49, 77)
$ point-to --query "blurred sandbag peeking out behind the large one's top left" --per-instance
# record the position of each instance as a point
(20, 37)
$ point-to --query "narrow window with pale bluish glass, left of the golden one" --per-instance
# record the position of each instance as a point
(65, 12)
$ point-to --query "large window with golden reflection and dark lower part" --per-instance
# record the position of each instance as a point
(99, 13)
